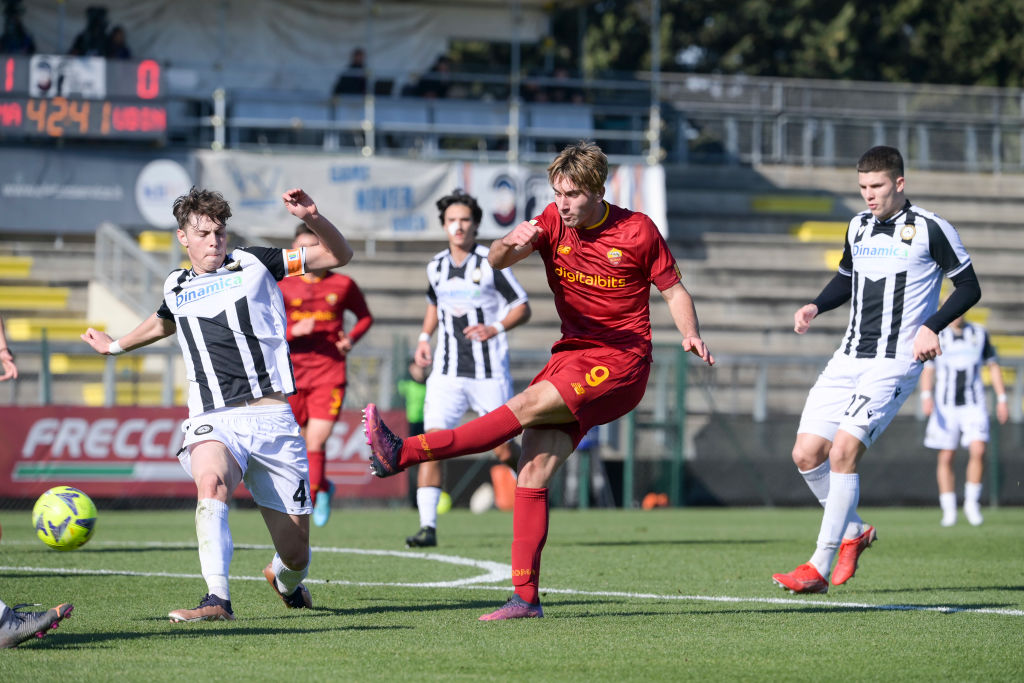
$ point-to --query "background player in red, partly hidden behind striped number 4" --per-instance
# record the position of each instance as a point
(316, 306)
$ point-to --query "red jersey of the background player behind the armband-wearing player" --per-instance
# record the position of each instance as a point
(315, 358)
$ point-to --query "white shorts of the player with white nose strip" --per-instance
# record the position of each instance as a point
(450, 398)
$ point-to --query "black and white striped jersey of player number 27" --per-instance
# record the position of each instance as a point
(897, 268)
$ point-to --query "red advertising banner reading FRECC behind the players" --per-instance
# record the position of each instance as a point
(133, 453)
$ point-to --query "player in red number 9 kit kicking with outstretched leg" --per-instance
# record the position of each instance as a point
(602, 262)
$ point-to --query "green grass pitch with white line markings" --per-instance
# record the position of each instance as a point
(628, 596)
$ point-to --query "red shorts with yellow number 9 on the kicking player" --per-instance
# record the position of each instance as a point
(598, 385)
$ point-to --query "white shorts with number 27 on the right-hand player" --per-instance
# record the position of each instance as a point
(859, 396)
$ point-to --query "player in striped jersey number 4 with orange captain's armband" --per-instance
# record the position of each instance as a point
(230, 319)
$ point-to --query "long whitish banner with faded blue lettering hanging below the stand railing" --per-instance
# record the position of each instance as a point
(396, 199)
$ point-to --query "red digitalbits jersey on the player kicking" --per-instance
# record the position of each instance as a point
(602, 278)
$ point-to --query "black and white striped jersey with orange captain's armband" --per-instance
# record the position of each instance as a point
(231, 326)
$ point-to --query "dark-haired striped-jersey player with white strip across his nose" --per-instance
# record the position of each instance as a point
(472, 306)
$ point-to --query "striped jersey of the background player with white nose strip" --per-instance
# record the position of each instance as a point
(471, 294)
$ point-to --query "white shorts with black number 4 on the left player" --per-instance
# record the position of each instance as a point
(268, 446)
